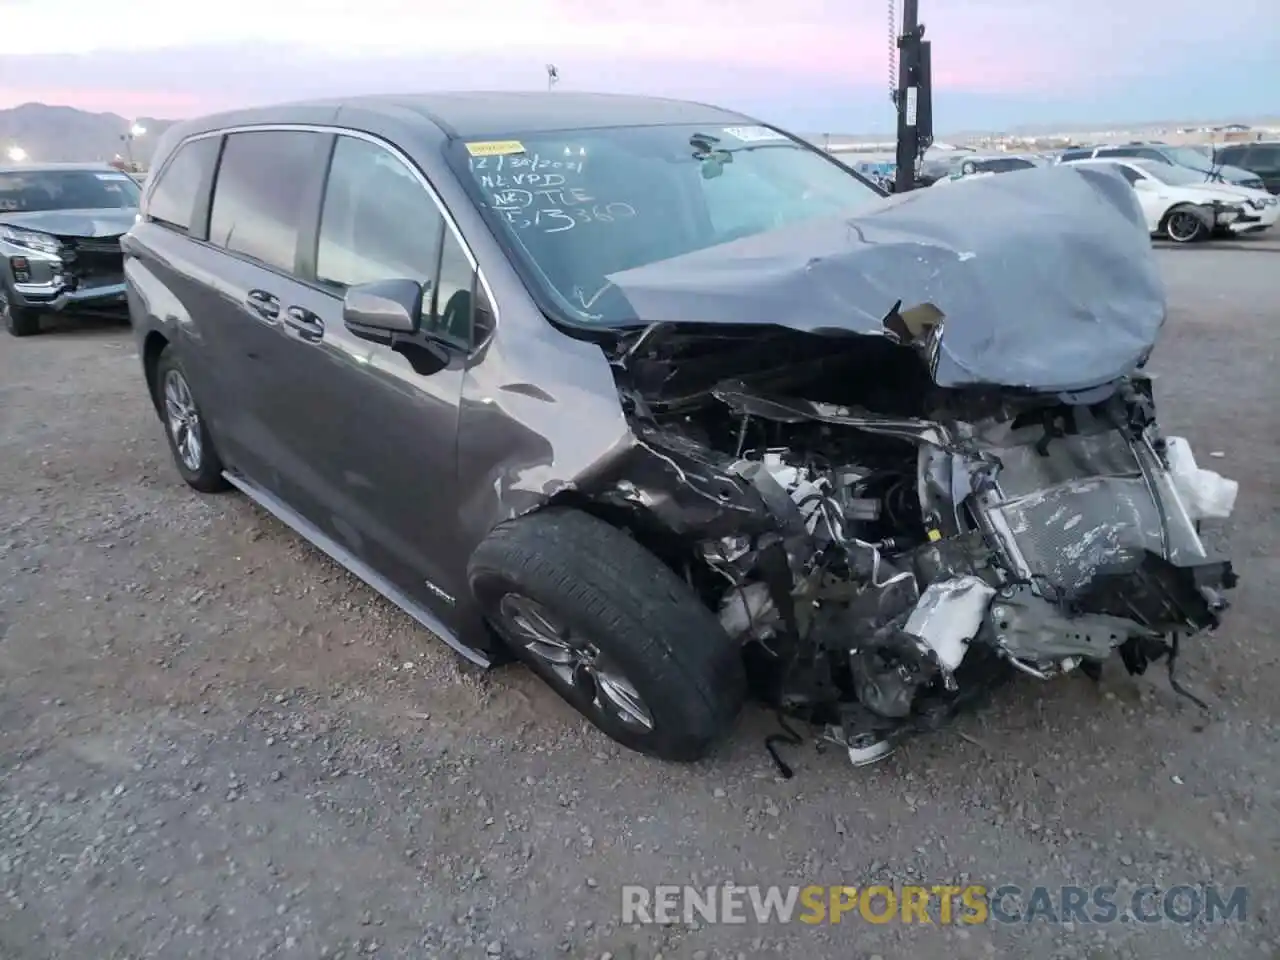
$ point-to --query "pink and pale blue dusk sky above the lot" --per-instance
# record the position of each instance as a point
(810, 65)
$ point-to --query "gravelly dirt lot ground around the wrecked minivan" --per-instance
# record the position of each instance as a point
(217, 744)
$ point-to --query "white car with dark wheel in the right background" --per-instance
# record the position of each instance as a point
(1181, 205)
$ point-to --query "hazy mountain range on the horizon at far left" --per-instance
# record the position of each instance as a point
(56, 134)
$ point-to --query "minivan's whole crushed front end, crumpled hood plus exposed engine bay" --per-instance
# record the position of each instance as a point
(912, 454)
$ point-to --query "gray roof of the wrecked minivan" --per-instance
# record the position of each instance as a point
(478, 115)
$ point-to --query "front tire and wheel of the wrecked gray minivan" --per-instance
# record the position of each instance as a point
(612, 630)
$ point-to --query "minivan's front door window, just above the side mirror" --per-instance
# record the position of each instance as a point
(378, 222)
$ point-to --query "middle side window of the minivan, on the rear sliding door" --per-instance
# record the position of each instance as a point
(259, 196)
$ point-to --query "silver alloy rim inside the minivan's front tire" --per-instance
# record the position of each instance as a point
(575, 662)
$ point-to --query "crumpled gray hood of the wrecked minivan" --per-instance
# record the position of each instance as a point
(1045, 278)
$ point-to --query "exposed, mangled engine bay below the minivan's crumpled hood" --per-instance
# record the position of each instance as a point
(889, 551)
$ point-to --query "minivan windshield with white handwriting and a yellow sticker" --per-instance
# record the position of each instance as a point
(577, 207)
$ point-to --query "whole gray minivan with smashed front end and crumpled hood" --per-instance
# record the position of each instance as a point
(676, 409)
